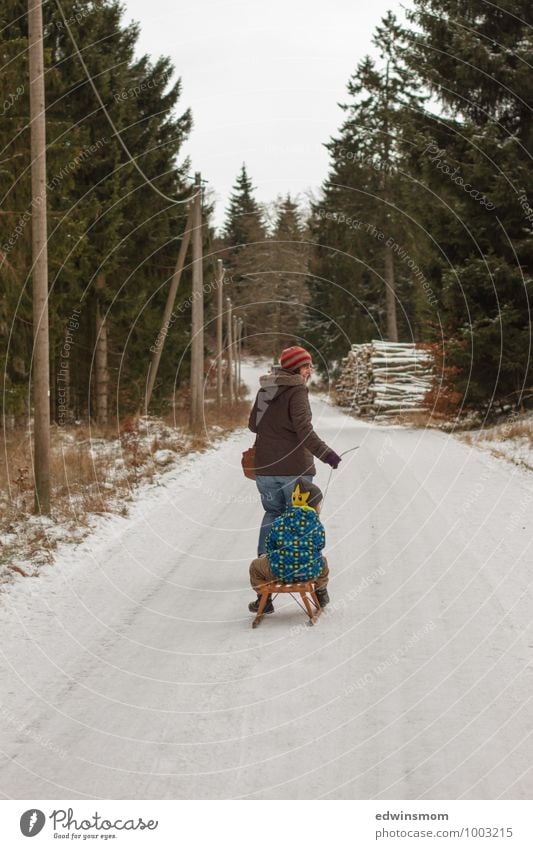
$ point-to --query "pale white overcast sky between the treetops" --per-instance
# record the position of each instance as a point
(263, 80)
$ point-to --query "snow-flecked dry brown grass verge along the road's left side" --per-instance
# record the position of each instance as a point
(93, 471)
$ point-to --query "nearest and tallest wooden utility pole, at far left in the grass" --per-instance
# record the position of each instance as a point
(41, 367)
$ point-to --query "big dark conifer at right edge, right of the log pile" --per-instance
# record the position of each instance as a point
(474, 160)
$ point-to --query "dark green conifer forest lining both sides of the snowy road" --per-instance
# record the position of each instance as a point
(423, 227)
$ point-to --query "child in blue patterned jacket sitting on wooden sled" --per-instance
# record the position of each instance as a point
(294, 547)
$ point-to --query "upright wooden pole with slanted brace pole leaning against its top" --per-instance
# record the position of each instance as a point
(197, 341)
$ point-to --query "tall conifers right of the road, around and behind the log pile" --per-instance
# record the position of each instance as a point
(429, 196)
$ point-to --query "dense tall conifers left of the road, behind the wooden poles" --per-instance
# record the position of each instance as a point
(113, 239)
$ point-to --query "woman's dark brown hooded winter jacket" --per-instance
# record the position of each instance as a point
(281, 418)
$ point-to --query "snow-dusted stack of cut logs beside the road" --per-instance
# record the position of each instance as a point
(385, 378)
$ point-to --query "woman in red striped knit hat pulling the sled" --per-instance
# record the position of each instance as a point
(286, 442)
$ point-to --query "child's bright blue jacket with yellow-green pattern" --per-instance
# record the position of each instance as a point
(294, 545)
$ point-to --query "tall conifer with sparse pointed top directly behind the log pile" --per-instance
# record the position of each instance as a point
(358, 221)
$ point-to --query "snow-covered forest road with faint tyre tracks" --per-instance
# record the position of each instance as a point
(130, 668)
